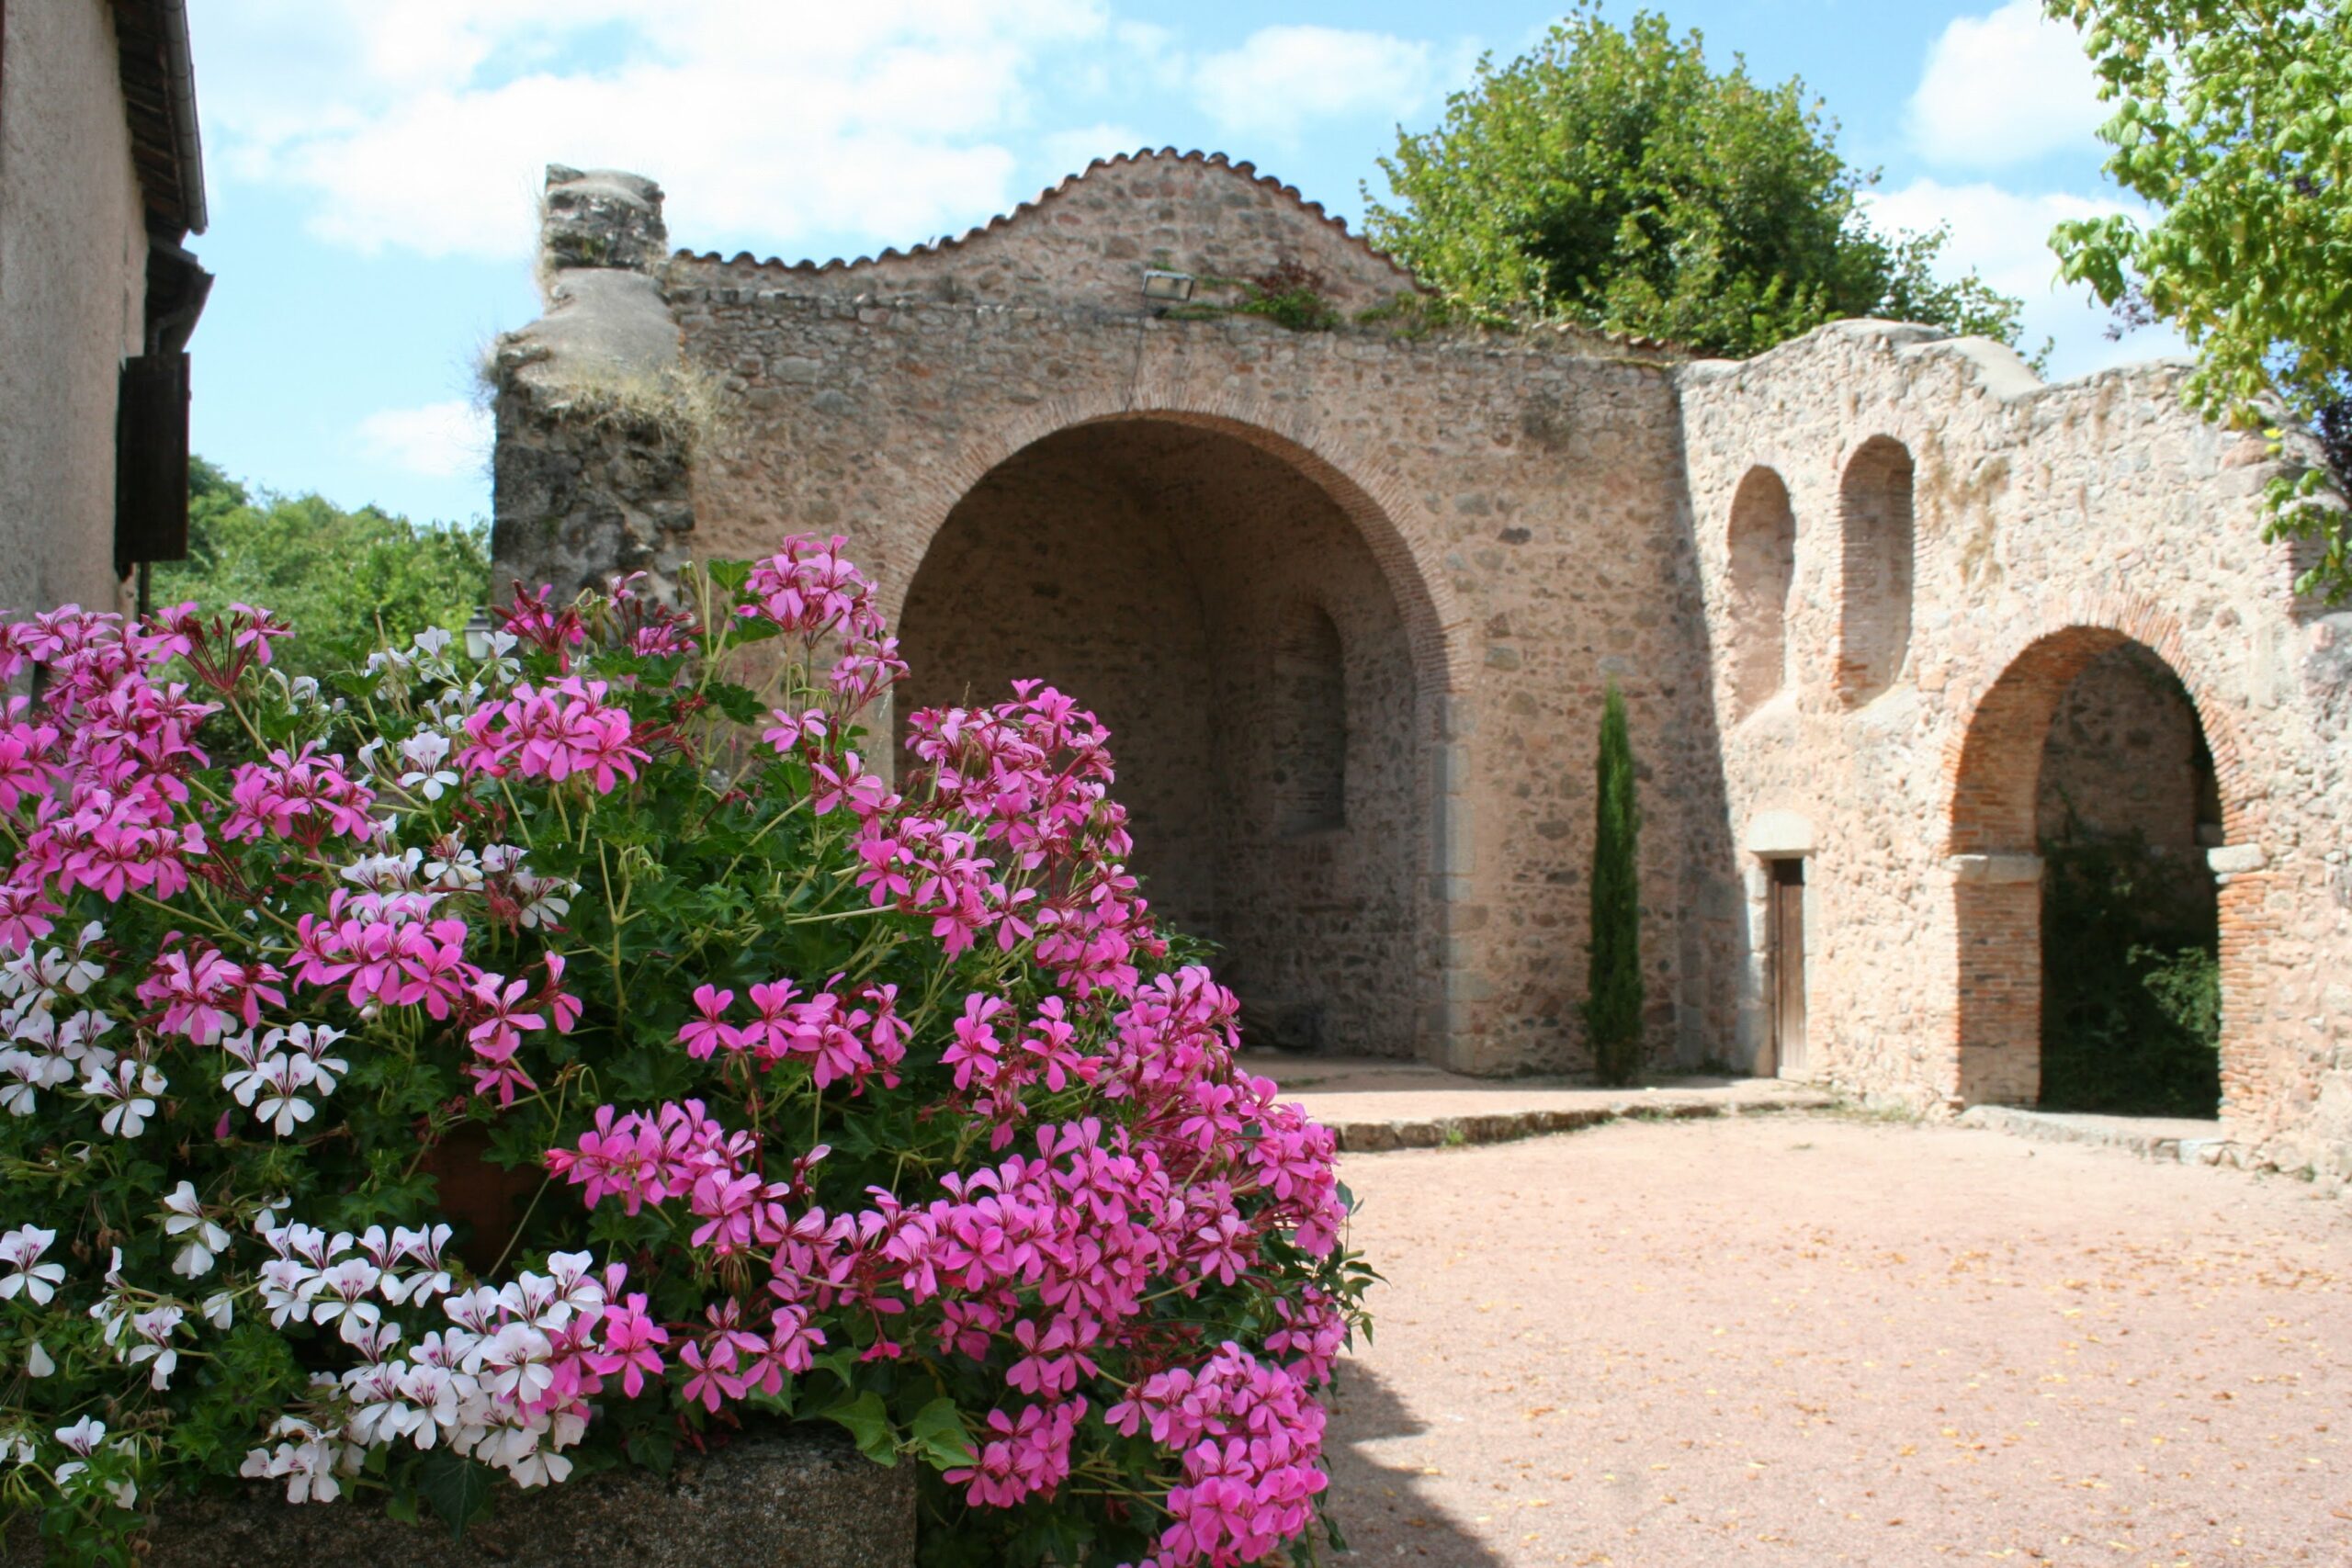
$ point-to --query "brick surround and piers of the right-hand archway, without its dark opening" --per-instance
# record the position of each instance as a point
(2000, 810)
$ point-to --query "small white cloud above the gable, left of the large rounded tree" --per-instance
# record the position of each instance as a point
(1285, 76)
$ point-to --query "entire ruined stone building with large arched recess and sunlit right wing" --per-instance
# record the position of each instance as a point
(1880, 603)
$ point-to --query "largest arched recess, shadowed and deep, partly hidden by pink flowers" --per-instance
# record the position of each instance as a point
(1227, 617)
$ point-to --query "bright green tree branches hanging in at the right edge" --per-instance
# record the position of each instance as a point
(2233, 119)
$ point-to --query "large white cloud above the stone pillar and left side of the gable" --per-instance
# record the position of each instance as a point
(427, 123)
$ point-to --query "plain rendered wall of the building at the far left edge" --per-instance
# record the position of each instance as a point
(72, 302)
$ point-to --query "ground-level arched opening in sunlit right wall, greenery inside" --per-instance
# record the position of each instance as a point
(2090, 944)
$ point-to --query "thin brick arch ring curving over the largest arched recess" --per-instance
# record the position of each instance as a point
(1391, 523)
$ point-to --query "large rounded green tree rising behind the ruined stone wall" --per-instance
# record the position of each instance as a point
(1610, 177)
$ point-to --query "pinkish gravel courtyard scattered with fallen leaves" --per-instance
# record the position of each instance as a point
(1824, 1341)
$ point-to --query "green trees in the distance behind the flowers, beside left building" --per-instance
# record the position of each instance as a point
(335, 575)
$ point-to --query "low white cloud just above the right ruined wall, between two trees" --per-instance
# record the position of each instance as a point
(2005, 236)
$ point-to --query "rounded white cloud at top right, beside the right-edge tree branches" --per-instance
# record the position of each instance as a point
(2005, 88)
